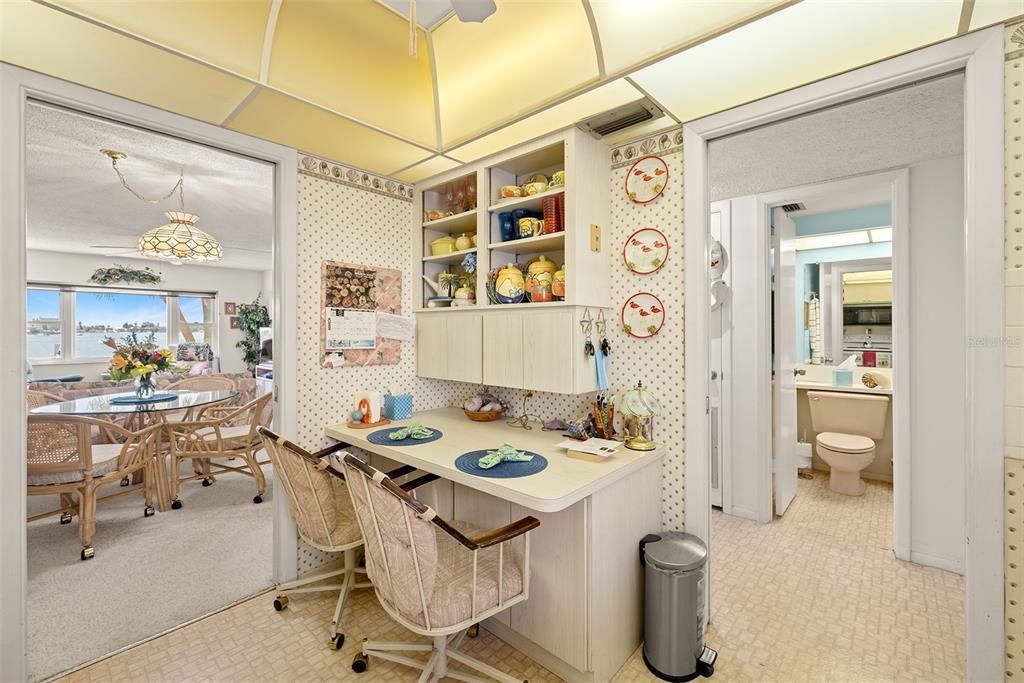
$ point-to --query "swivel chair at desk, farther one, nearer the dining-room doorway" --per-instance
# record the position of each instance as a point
(323, 513)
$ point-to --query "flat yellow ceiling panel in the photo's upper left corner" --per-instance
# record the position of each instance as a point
(53, 42)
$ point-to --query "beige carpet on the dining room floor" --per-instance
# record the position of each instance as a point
(150, 575)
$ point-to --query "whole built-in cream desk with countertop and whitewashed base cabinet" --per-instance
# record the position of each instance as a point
(585, 613)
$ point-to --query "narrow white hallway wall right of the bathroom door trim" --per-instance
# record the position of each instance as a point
(938, 370)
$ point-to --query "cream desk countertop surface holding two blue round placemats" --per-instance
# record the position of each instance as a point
(564, 483)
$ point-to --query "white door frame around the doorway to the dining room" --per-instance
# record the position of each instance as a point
(17, 87)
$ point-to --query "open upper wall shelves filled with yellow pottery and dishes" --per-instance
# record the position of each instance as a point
(541, 203)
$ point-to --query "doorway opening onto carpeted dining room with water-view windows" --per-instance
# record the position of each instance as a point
(145, 516)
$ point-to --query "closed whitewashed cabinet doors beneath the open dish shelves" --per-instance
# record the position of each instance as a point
(538, 350)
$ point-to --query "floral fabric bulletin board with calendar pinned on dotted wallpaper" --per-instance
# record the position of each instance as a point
(352, 295)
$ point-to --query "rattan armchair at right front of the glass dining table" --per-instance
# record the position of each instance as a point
(221, 434)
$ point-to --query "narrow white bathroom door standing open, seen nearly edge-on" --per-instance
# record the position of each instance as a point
(785, 394)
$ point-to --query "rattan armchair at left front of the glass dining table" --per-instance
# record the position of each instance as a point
(64, 461)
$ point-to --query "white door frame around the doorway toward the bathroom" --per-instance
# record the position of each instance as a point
(980, 56)
